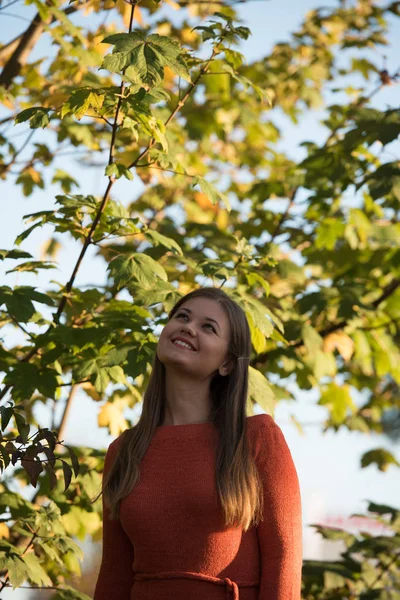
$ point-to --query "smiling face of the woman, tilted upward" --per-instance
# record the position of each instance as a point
(205, 326)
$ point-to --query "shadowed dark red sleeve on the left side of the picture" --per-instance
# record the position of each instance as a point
(116, 574)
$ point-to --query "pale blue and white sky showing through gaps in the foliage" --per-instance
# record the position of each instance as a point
(332, 483)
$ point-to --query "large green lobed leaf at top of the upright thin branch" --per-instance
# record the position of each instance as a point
(145, 57)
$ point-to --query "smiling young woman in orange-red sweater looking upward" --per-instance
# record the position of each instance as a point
(201, 502)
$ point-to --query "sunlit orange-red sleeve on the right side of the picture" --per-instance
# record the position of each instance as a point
(280, 531)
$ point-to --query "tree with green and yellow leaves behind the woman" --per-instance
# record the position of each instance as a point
(174, 105)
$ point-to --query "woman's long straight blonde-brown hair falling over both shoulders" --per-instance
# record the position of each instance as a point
(237, 479)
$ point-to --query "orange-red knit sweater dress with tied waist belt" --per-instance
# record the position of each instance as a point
(170, 542)
